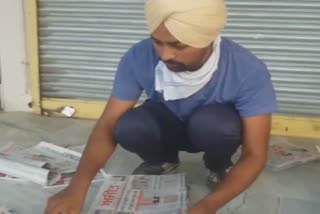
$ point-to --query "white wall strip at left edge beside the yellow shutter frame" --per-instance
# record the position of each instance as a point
(15, 84)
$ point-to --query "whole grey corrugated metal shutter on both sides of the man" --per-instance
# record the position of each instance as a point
(81, 43)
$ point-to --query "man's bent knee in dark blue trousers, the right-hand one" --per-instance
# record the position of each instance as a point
(213, 124)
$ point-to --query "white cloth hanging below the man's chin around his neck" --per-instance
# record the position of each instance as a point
(179, 85)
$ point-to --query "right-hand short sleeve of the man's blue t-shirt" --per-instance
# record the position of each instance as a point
(256, 95)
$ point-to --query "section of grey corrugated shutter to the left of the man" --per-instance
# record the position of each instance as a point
(81, 43)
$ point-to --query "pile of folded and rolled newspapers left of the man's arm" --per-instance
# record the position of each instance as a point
(45, 164)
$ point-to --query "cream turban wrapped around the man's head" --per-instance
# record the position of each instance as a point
(196, 23)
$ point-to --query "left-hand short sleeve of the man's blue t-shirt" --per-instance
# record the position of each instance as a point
(125, 85)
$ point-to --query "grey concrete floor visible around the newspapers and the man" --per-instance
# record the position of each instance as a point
(294, 191)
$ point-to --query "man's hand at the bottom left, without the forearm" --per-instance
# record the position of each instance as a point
(67, 201)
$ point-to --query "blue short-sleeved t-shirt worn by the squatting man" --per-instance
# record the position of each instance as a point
(241, 80)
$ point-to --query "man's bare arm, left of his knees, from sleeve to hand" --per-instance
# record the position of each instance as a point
(100, 147)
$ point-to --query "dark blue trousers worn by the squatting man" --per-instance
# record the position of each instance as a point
(154, 133)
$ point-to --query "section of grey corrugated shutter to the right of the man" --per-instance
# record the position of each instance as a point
(286, 35)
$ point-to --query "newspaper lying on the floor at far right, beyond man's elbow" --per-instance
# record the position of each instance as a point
(285, 155)
